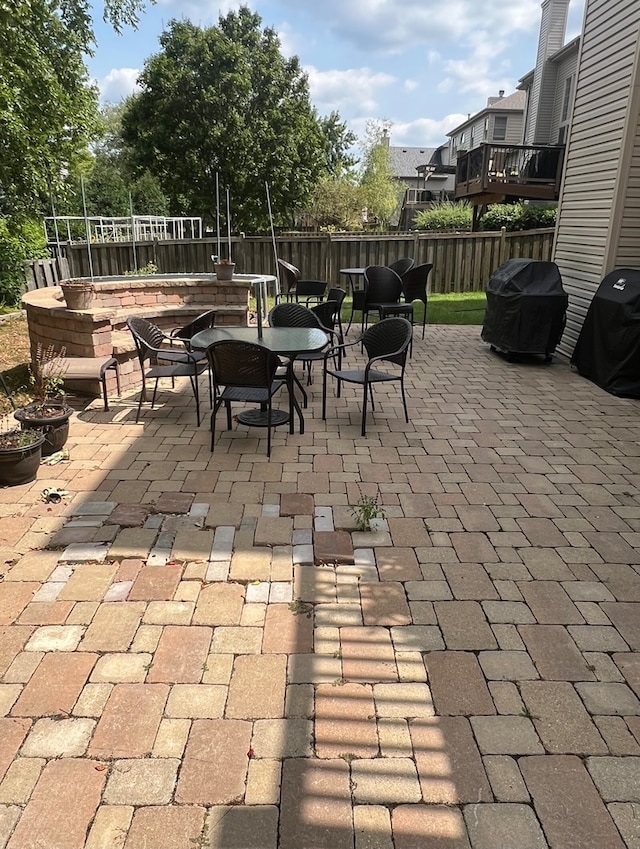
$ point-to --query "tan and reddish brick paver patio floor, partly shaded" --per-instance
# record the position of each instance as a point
(200, 650)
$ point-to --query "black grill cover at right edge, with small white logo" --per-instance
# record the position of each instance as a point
(608, 348)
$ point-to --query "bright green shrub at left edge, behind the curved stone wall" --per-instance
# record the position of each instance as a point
(20, 241)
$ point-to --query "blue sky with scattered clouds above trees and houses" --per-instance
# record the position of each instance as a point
(423, 65)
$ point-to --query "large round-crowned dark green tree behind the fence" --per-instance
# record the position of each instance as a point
(224, 101)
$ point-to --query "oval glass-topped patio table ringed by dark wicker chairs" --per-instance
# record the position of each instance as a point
(285, 341)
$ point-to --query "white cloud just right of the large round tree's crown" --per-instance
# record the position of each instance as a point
(354, 90)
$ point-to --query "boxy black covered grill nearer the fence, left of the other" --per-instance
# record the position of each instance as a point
(526, 307)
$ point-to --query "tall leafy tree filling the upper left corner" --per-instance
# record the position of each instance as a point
(47, 106)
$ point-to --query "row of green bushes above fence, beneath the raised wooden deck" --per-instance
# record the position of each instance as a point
(451, 216)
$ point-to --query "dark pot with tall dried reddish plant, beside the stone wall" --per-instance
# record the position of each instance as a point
(48, 412)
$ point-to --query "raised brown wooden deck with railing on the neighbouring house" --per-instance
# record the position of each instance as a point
(516, 171)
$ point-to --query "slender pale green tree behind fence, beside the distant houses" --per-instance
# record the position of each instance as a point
(381, 192)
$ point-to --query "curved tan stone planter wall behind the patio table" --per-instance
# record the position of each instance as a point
(101, 331)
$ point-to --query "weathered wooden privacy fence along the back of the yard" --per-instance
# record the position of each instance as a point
(462, 262)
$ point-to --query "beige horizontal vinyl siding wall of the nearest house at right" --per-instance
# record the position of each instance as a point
(591, 200)
